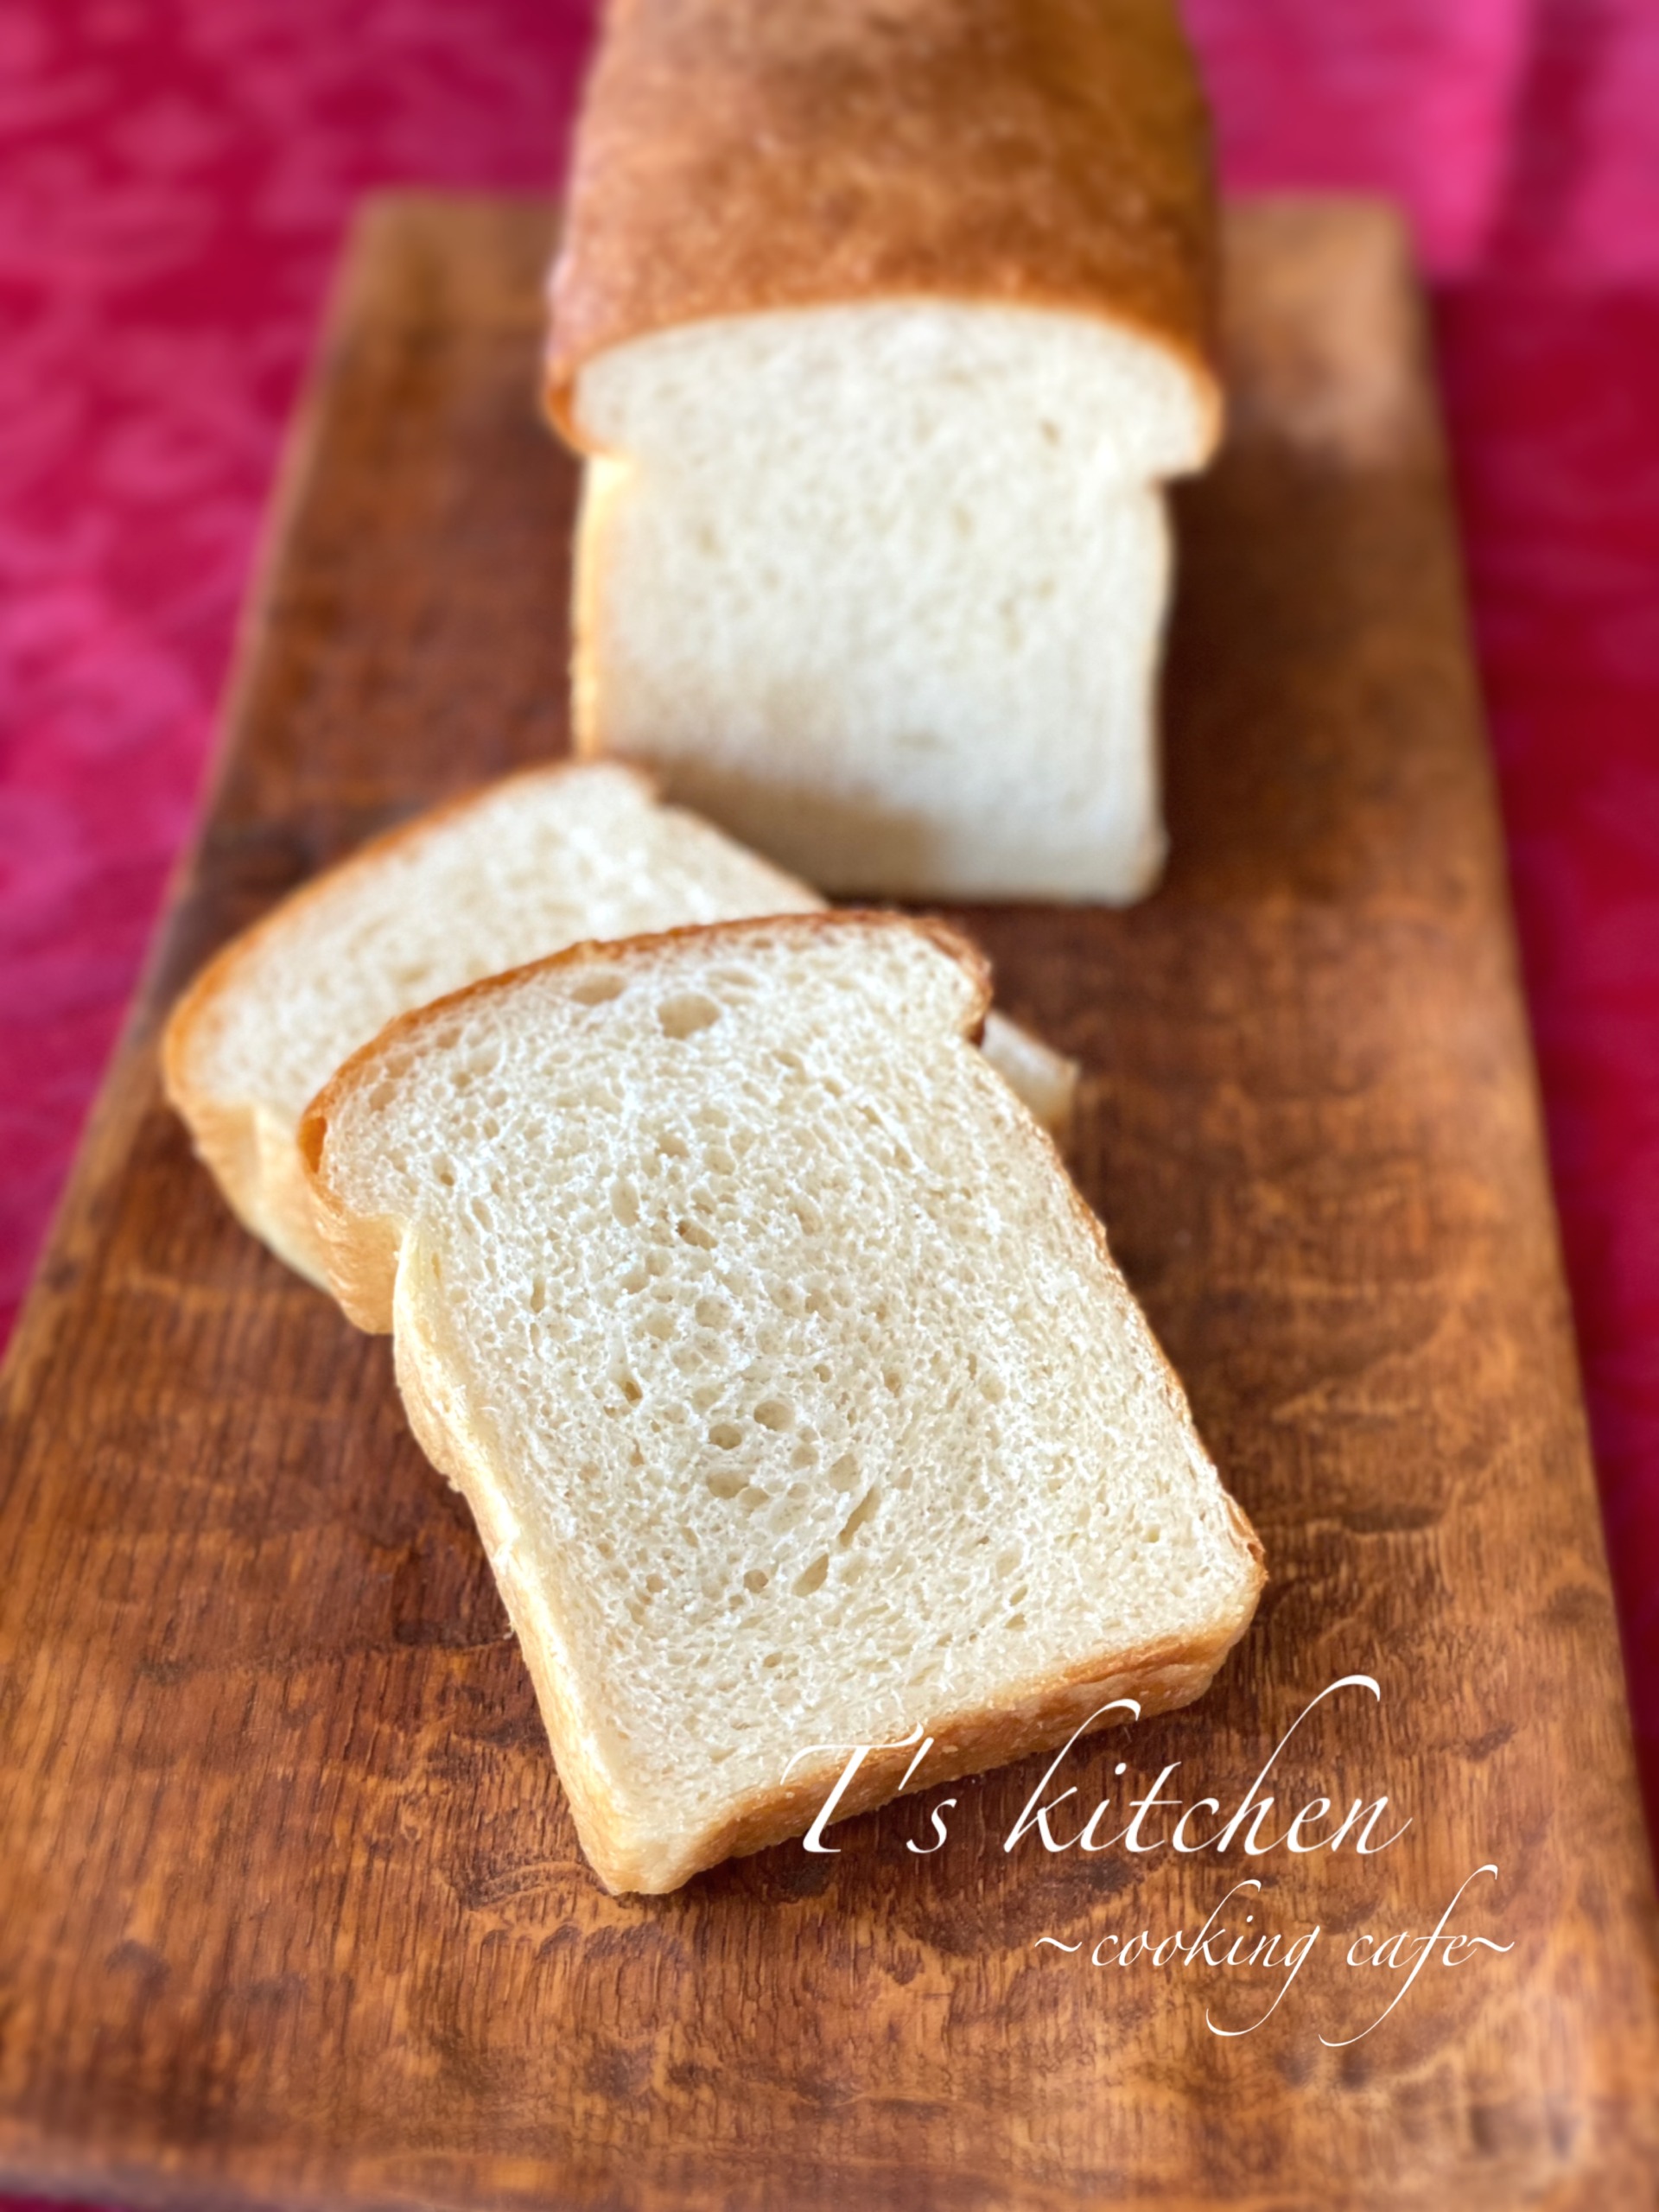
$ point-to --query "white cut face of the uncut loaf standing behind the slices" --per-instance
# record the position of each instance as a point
(881, 587)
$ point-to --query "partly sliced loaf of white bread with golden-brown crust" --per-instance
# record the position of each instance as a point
(881, 326)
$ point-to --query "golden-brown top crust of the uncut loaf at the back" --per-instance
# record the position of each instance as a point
(740, 158)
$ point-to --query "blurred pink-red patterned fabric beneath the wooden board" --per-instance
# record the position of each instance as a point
(174, 182)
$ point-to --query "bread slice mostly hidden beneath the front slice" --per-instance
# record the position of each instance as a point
(523, 868)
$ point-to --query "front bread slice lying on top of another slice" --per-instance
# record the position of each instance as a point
(791, 1384)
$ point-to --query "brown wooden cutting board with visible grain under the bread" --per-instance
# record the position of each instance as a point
(291, 1903)
